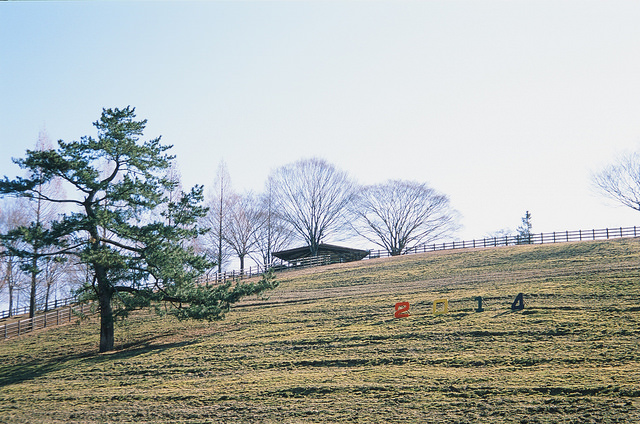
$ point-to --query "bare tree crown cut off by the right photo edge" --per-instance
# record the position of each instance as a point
(621, 180)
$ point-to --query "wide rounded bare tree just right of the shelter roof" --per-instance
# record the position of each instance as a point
(398, 214)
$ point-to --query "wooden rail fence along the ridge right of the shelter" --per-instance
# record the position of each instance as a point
(540, 238)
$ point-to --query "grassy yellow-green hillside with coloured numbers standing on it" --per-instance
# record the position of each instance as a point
(325, 347)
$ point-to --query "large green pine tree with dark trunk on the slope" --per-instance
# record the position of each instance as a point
(136, 256)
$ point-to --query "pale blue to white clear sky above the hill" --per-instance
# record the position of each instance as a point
(504, 106)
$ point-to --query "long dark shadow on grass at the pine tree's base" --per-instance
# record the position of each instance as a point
(36, 368)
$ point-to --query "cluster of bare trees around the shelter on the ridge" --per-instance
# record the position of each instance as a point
(310, 202)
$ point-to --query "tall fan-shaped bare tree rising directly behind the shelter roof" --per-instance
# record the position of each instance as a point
(311, 195)
